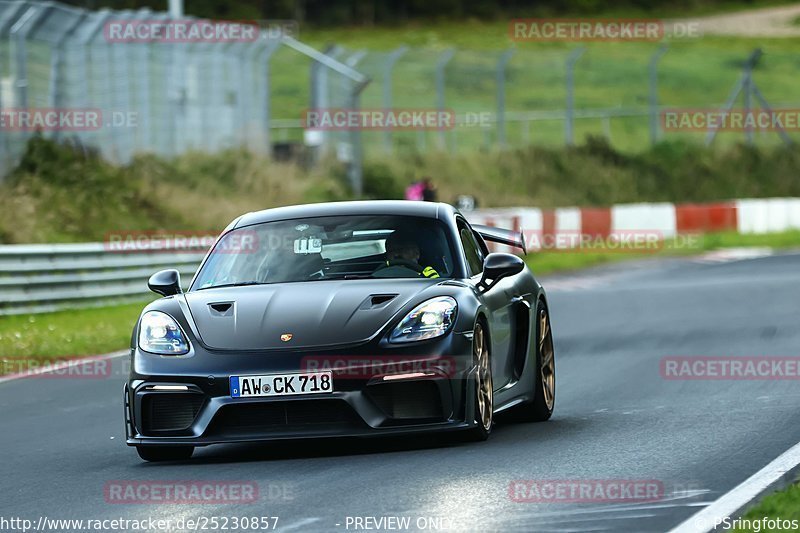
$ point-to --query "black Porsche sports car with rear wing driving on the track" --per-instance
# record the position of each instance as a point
(340, 319)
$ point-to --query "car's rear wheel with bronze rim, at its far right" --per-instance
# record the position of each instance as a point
(544, 389)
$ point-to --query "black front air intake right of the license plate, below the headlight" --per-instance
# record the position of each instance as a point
(405, 400)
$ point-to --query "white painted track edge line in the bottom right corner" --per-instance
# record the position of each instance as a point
(774, 476)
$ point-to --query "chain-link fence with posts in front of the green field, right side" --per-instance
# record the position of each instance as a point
(555, 96)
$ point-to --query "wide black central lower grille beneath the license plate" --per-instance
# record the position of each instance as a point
(247, 418)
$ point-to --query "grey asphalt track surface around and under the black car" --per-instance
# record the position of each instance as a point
(616, 418)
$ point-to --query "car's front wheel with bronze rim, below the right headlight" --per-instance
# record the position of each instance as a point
(483, 397)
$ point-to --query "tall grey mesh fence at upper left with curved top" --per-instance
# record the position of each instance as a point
(126, 82)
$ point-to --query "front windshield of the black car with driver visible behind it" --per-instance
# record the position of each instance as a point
(326, 248)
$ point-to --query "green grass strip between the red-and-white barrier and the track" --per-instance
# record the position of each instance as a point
(549, 262)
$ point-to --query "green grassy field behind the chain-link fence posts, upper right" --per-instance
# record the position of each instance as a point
(693, 73)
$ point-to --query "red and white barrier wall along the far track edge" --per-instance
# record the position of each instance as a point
(563, 227)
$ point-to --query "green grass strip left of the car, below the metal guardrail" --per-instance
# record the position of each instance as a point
(66, 334)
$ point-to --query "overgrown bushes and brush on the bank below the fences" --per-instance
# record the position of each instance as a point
(60, 193)
